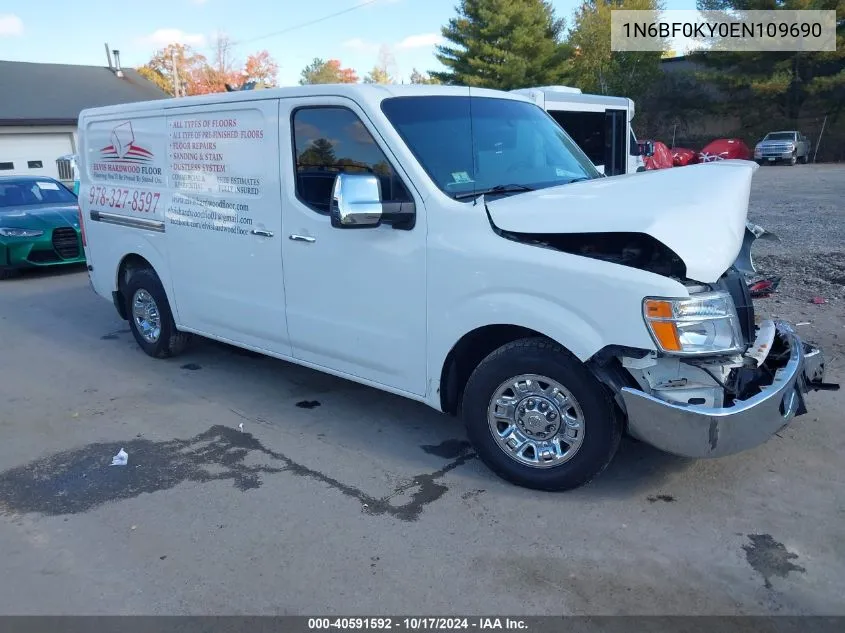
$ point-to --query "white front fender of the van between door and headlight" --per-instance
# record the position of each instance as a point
(504, 282)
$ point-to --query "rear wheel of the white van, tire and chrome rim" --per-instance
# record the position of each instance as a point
(154, 329)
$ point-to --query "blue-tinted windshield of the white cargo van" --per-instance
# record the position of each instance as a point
(470, 144)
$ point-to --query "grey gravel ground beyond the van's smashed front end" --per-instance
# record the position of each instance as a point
(805, 207)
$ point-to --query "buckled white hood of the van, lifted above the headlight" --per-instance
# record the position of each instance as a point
(698, 211)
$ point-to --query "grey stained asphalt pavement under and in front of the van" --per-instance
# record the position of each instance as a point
(337, 498)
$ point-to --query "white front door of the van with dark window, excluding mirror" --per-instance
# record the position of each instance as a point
(356, 298)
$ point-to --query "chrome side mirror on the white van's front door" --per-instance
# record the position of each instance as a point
(356, 203)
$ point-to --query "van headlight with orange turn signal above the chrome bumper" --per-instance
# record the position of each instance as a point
(704, 323)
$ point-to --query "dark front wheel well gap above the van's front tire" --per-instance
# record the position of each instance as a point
(467, 354)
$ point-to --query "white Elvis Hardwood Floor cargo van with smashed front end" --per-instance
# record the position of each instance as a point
(451, 245)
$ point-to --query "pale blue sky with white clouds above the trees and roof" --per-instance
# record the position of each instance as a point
(74, 32)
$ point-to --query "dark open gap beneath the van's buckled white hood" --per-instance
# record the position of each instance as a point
(636, 250)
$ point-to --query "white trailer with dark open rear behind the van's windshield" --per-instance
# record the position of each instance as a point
(600, 125)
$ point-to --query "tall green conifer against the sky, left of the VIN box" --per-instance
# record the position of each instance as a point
(502, 44)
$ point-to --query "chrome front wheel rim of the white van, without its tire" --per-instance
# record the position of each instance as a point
(536, 421)
